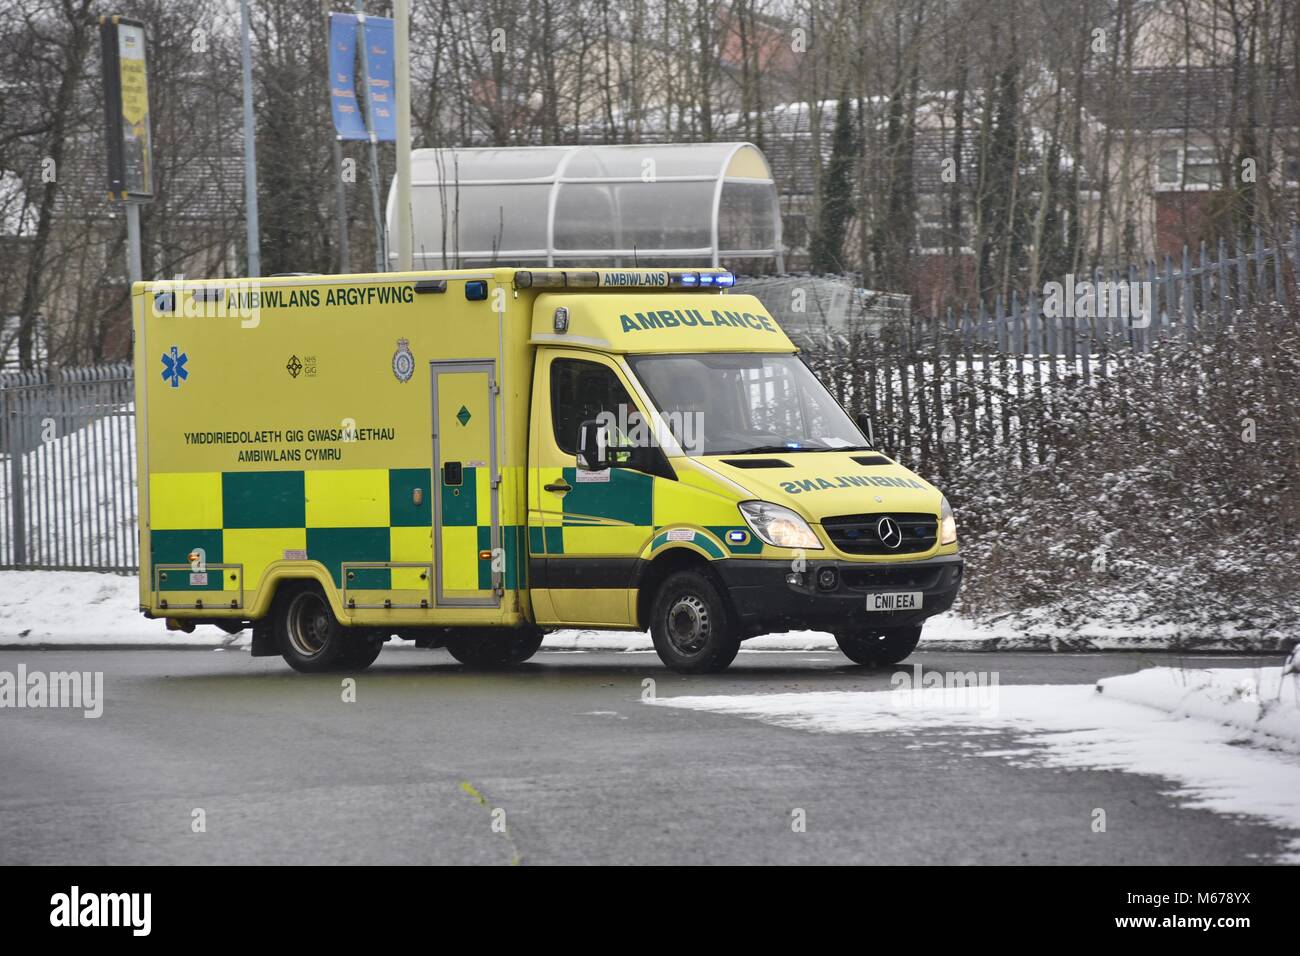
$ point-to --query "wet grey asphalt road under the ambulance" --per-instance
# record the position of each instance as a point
(419, 768)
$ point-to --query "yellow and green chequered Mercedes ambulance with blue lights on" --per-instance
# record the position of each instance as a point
(473, 458)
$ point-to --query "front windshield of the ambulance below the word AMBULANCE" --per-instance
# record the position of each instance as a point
(726, 404)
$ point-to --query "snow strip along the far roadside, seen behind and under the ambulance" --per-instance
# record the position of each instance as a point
(88, 608)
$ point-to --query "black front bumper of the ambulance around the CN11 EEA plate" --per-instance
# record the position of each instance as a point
(766, 602)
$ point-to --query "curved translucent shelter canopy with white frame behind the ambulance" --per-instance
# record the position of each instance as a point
(683, 205)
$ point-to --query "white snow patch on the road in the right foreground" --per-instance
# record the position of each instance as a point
(1184, 726)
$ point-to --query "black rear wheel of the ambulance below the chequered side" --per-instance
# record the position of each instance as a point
(311, 641)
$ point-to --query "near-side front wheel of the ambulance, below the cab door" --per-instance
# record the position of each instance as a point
(691, 625)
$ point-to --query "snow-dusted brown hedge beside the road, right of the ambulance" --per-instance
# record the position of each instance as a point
(1163, 491)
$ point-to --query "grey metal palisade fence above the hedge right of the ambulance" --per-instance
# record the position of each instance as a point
(941, 388)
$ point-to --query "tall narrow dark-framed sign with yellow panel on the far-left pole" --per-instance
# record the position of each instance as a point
(127, 109)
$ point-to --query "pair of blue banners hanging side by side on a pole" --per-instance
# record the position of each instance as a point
(349, 122)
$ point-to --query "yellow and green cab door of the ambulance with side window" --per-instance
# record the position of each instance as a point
(593, 525)
